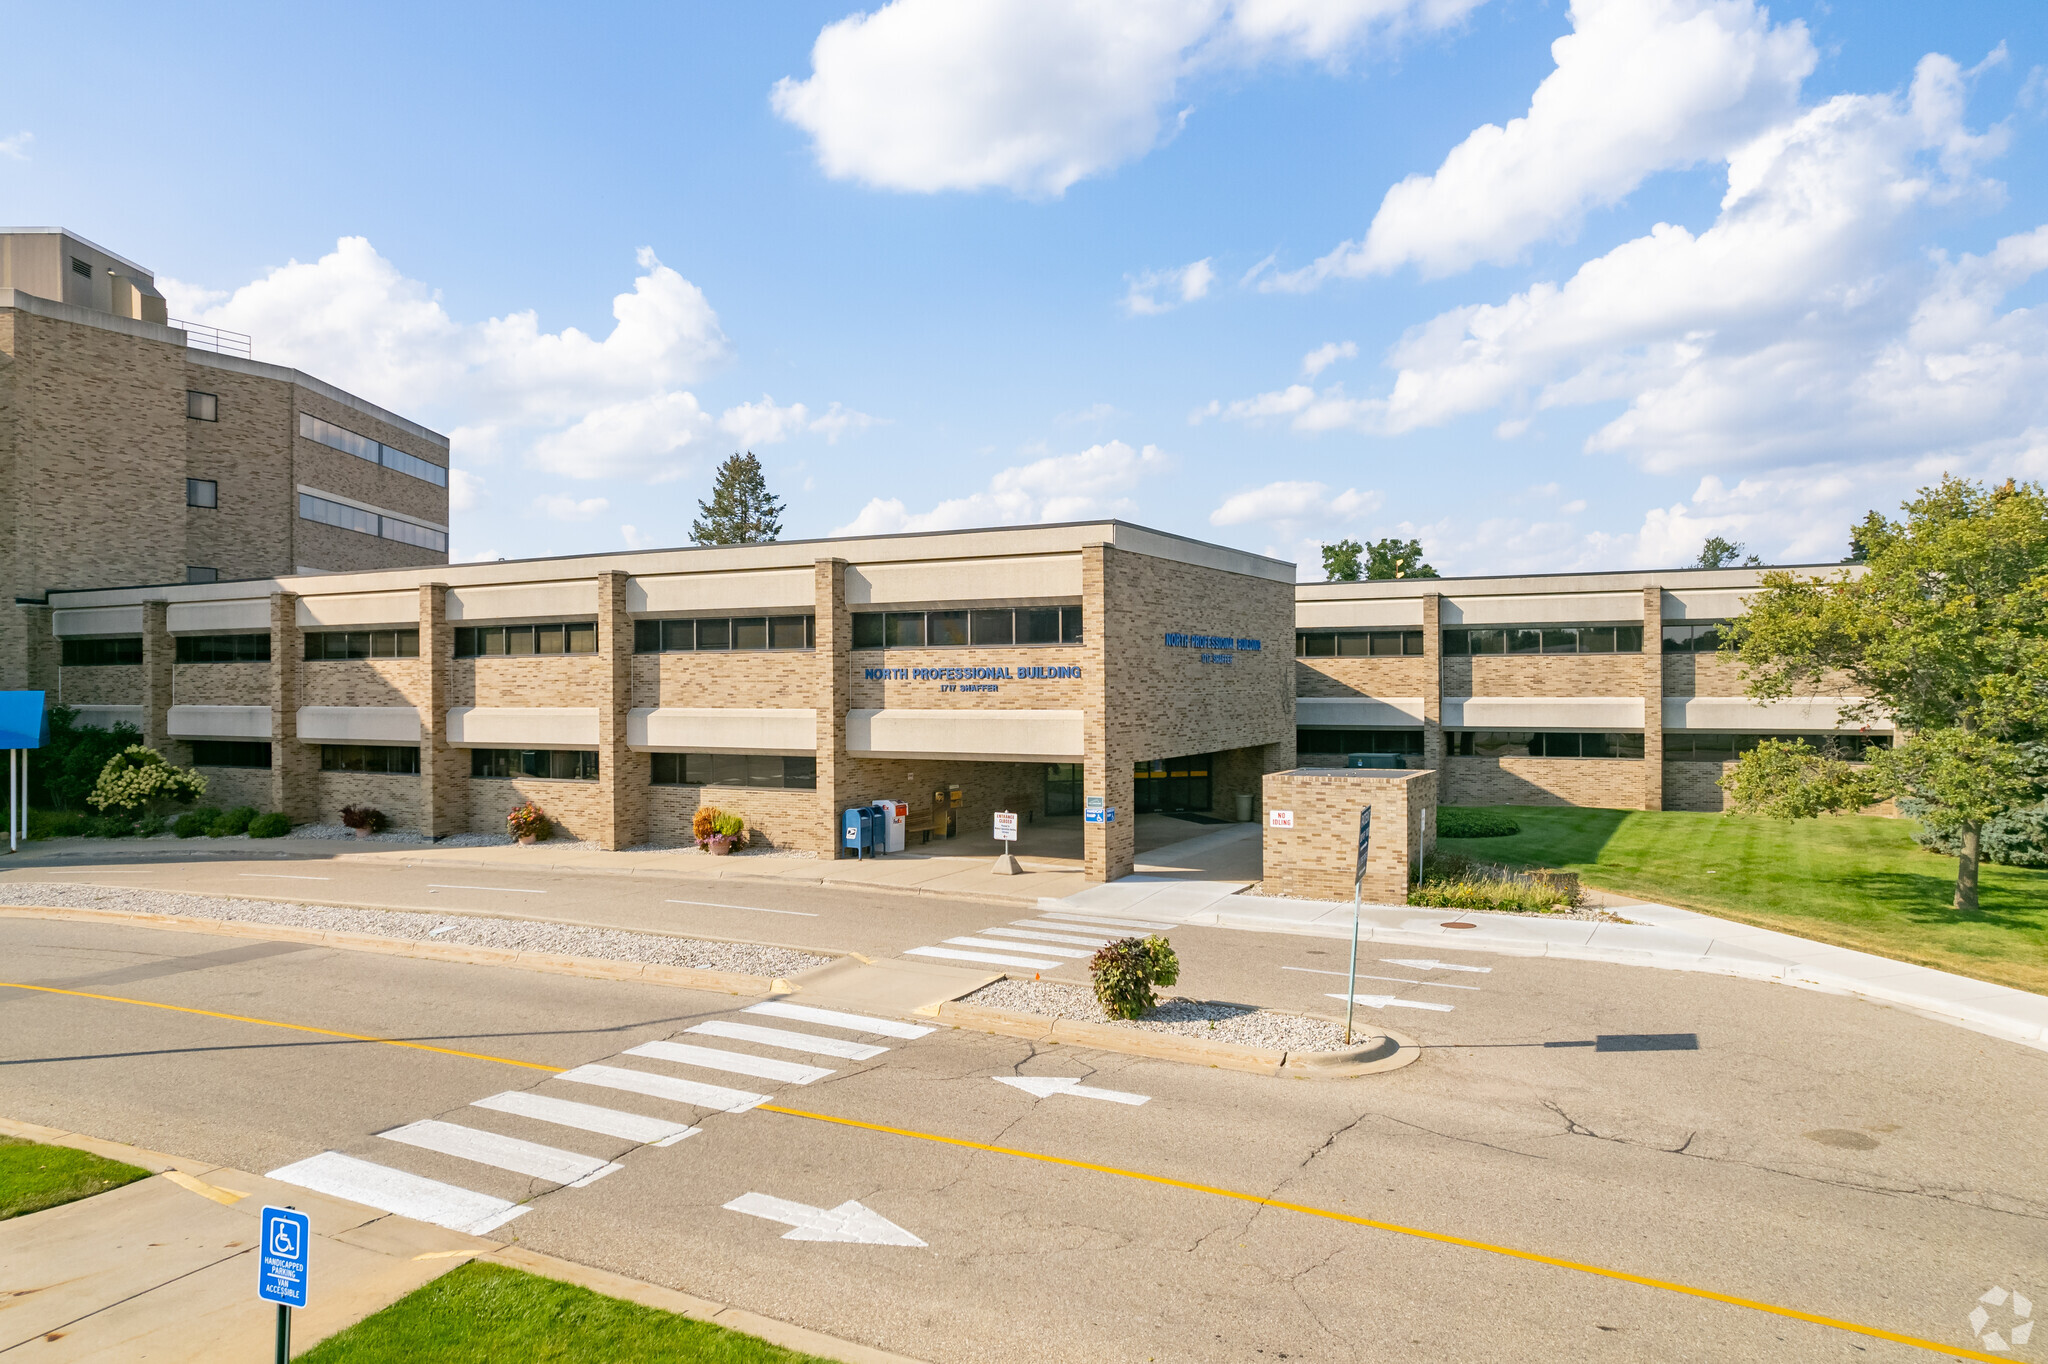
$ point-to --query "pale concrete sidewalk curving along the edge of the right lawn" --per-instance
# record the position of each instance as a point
(1658, 937)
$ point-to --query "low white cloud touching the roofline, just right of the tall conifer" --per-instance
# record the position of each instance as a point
(1048, 491)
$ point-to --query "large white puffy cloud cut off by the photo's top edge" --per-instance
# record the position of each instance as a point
(1035, 95)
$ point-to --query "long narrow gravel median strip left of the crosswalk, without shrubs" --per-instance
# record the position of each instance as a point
(468, 931)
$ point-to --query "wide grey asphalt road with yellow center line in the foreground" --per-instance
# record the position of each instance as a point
(1811, 1154)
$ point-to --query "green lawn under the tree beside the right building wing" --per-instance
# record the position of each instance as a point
(1848, 880)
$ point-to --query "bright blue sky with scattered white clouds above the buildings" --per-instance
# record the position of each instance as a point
(1738, 269)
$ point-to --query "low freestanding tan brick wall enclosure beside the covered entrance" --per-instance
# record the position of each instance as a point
(1318, 857)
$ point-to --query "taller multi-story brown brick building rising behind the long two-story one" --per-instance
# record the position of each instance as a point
(142, 450)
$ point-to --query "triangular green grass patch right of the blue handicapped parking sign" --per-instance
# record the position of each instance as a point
(486, 1314)
